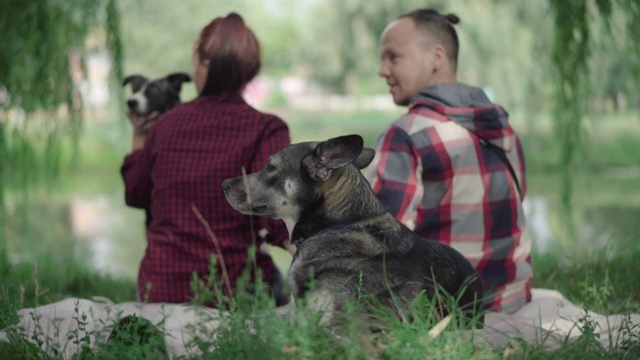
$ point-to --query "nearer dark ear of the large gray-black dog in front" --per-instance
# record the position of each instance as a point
(332, 154)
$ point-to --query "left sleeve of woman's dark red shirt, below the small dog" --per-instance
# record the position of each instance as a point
(136, 174)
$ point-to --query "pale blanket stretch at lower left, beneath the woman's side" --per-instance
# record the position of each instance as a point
(51, 324)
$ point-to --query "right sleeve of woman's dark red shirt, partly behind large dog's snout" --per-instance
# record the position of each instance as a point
(275, 138)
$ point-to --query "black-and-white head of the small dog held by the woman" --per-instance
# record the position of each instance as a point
(150, 98)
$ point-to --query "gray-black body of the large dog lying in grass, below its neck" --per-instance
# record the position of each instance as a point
(382, 262)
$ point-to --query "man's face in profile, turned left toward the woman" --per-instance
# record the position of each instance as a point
(407, 64)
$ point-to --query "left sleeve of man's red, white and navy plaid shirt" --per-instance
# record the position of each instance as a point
(395, 175)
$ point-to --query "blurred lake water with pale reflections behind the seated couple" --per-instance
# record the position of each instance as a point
(111, 236)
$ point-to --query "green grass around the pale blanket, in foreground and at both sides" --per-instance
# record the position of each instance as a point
(270, 336)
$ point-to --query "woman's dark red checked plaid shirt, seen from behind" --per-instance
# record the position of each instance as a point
(188, 153)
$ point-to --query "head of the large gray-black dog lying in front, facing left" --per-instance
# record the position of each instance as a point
(295, 177)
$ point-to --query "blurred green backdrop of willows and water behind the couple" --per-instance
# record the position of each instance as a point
(567, 71)
